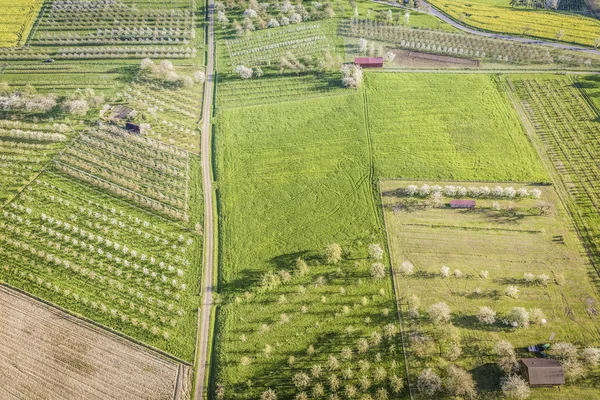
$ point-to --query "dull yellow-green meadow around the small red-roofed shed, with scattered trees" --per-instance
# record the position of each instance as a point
(507, 244)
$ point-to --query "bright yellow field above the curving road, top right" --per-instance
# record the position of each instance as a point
(544, 24)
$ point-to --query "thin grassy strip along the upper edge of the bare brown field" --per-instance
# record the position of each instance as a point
(91, 324)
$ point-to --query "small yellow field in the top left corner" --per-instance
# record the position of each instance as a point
(16, 19)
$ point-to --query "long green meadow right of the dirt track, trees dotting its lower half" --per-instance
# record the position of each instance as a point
(288, 187)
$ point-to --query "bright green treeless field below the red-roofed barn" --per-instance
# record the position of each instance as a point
(458, 127)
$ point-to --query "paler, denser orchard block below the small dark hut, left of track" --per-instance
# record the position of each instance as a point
(142, 169)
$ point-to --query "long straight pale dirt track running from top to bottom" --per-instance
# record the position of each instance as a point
(207, 281)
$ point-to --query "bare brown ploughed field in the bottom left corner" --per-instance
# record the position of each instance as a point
(47, 354)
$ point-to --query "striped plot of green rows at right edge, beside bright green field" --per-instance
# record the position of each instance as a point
(569, 131)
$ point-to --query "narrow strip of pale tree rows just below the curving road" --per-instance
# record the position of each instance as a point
(458, 44)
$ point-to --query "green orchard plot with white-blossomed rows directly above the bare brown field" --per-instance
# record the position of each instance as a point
(121, 266)
